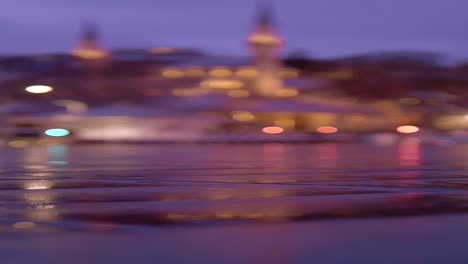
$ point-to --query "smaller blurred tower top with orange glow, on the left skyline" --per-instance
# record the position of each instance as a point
(89, 47)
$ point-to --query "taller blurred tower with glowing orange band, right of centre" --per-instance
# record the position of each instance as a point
(266, 44)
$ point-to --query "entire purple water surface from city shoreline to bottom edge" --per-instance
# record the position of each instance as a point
(260, 203)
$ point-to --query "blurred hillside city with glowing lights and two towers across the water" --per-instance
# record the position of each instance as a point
(172, 94)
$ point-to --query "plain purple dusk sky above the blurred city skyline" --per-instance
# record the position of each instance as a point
(322, 27)
